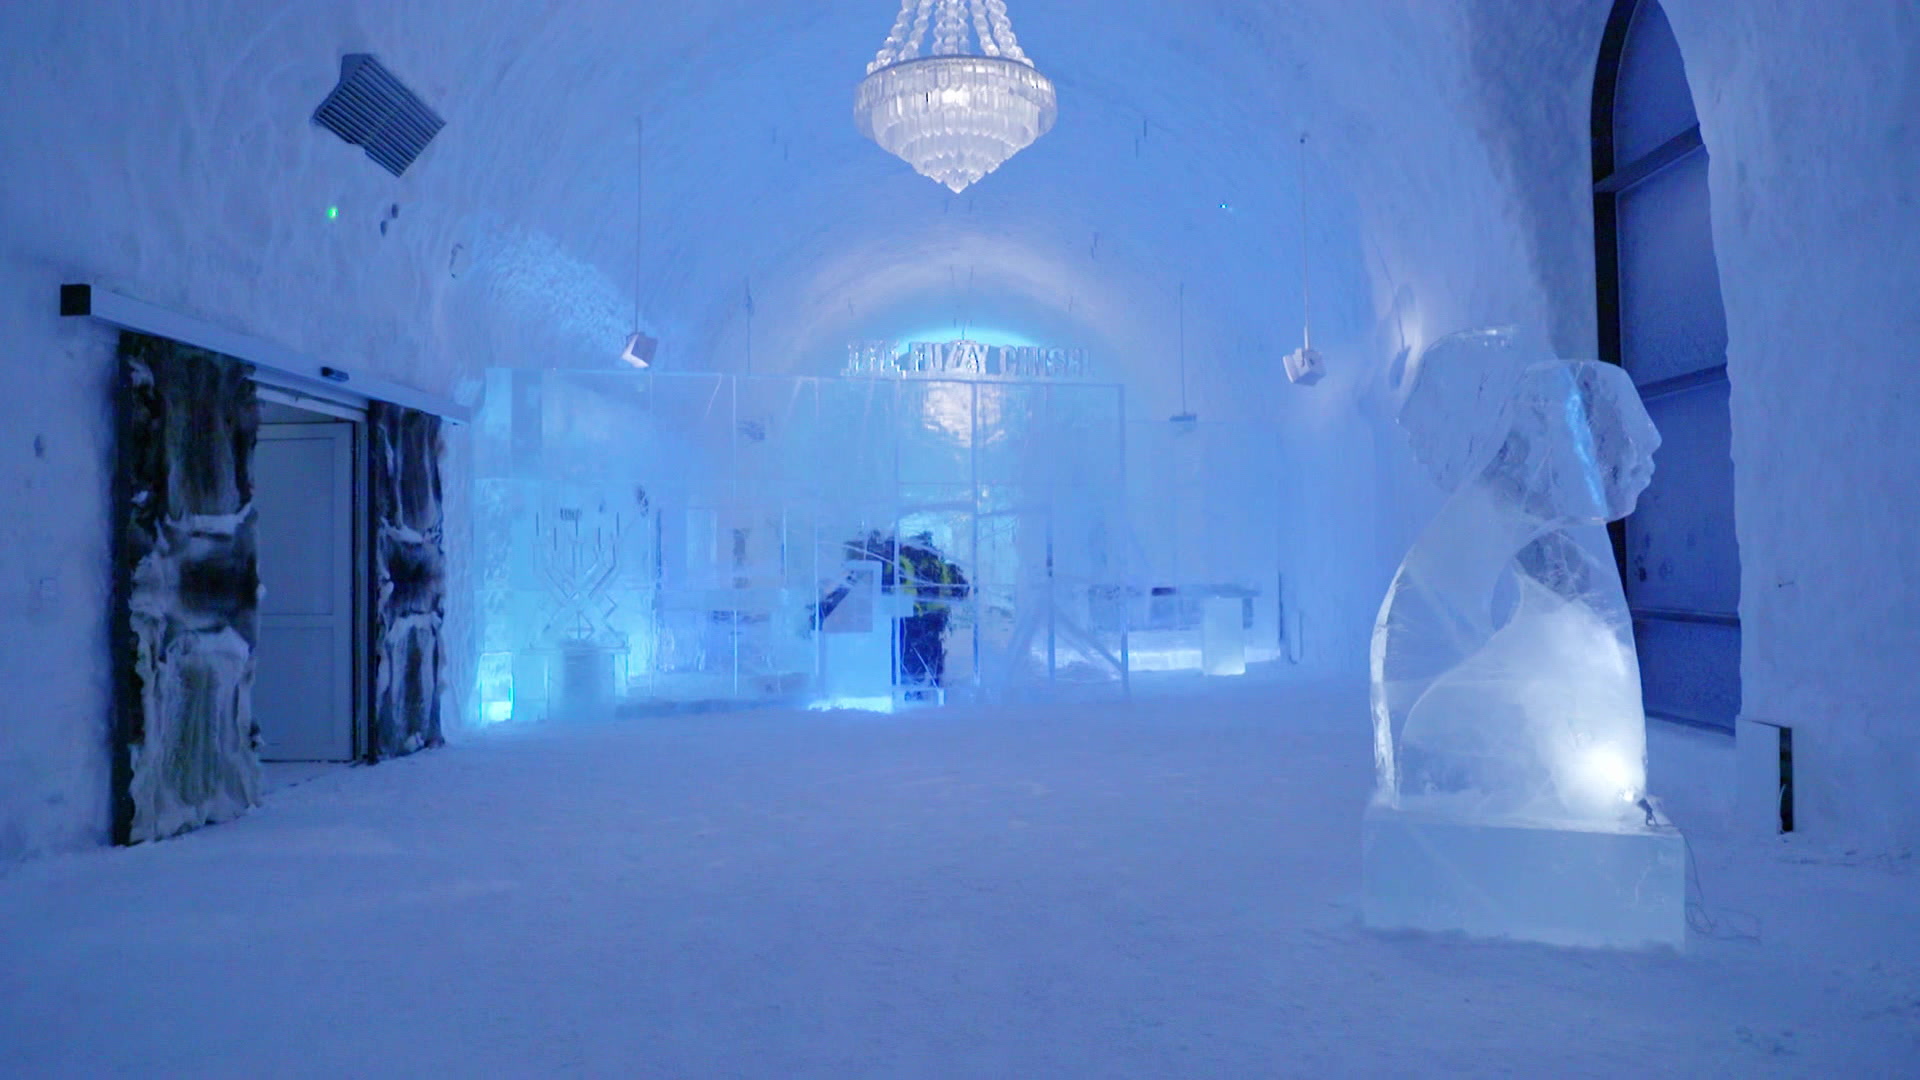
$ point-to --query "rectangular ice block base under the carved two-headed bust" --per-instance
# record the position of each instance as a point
(1562, 885)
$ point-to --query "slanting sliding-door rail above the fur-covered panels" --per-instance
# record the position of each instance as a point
(276, 366)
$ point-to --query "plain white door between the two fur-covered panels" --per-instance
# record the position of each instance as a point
(304, 662)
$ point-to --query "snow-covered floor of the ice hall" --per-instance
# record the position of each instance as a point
(1159, 891)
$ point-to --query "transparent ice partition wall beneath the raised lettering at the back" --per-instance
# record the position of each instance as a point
(681, 541)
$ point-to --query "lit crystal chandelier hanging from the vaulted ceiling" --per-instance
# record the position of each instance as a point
(955, 116)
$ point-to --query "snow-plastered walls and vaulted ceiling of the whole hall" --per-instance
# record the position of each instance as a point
(164, 151)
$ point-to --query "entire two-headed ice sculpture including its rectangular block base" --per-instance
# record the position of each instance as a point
(1508, 731)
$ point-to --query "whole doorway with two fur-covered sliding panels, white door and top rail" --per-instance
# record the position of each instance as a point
(204, 685)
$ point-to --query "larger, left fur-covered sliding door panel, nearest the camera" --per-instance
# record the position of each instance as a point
(187, 591)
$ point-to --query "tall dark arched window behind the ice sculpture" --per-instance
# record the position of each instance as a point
(1662, 318)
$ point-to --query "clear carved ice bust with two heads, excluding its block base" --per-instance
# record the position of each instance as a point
(1504, 672)
